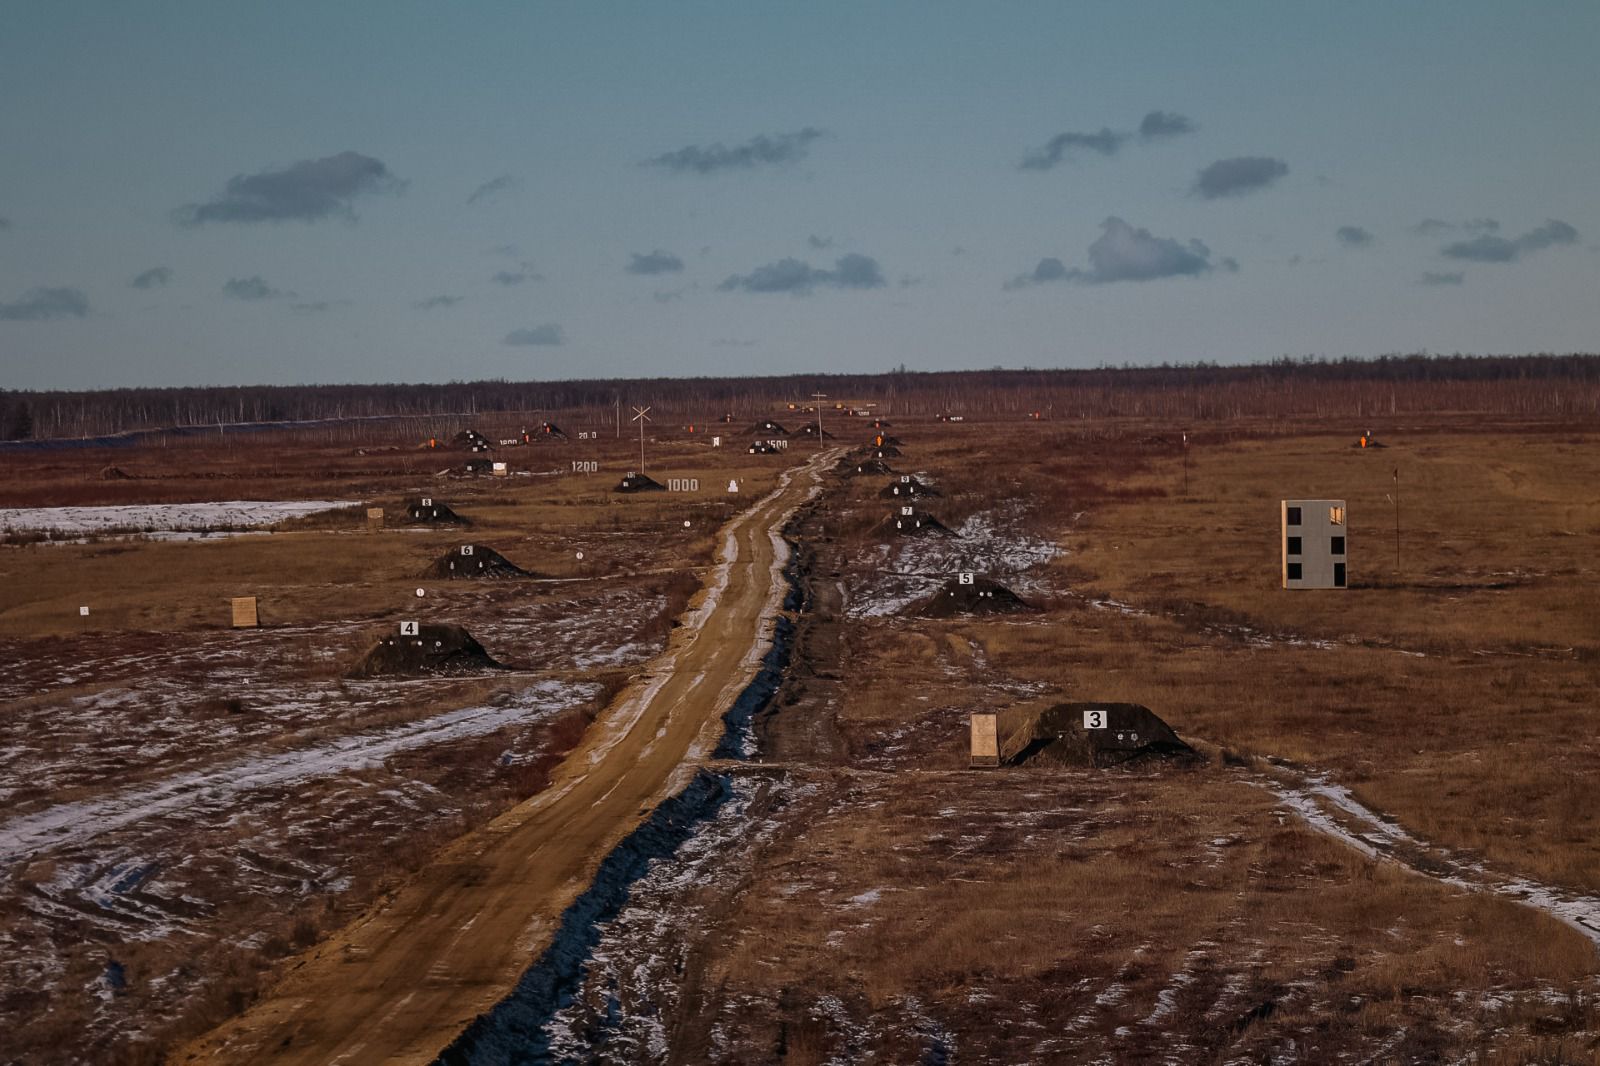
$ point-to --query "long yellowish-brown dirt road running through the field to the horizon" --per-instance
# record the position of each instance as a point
(399, 984)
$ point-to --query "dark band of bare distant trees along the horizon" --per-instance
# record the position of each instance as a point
(1391, 385)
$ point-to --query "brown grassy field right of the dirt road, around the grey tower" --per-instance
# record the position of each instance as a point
(1452, 695)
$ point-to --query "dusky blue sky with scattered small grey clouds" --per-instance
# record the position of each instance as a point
(218, 193)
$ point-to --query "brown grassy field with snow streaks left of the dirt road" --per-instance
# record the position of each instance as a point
(201, 907)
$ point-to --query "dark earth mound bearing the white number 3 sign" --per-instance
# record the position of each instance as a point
(1100, 735)
